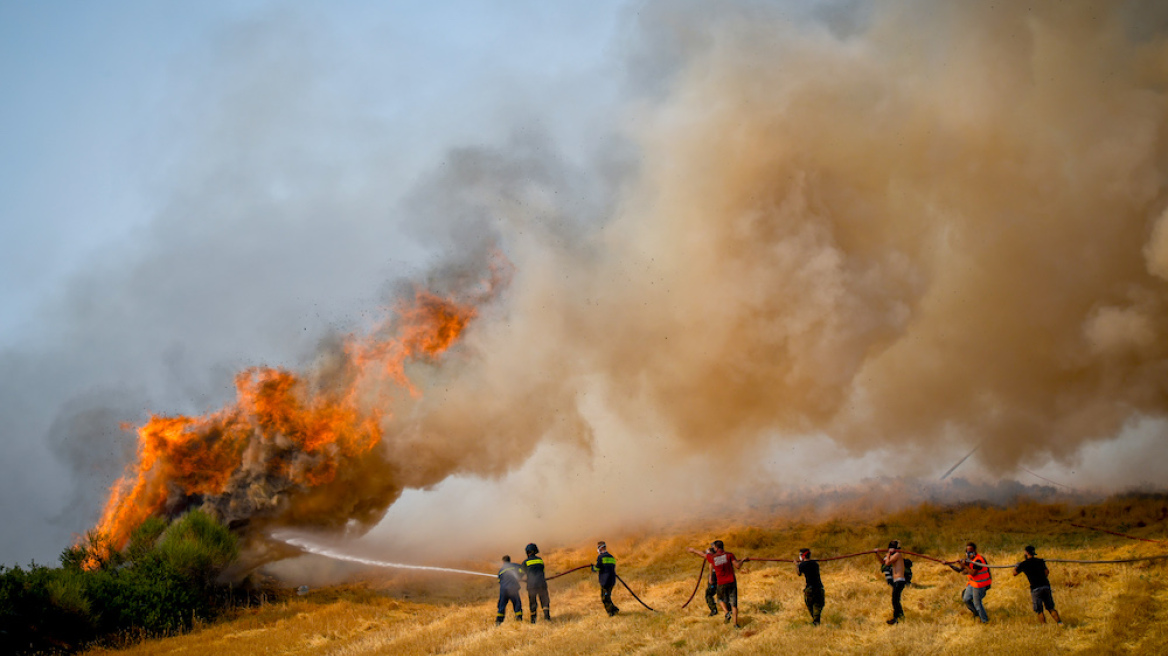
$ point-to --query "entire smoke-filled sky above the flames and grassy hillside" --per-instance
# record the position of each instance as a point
(802, 242)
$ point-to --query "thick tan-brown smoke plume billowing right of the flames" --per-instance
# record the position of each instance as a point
(944, 227)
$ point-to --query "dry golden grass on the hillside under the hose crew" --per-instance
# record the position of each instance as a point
(1122, 610)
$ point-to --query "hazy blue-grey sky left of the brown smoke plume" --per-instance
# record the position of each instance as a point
(204, 172)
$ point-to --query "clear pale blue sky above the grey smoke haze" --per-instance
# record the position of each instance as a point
(101, 101)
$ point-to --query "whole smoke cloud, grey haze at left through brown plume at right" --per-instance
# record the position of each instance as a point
(905, 229)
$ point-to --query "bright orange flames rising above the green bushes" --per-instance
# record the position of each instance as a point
(286, 437)
